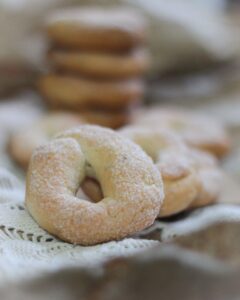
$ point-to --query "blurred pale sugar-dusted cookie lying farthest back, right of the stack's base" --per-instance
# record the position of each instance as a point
(197, 130)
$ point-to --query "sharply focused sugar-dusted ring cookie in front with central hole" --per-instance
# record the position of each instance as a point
(131, 185)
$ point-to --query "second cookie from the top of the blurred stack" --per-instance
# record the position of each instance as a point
(101, 65)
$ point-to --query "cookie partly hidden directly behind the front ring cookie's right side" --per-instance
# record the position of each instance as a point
(180, 180)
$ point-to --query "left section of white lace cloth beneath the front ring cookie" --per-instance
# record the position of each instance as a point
(27, 250)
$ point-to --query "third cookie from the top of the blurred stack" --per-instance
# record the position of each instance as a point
(79, 93)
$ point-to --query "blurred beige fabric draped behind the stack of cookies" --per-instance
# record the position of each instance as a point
(178, 37)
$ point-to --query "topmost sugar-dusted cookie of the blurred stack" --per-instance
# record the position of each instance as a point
(98, 29)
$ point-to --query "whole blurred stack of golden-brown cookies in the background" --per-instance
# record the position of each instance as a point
(97, 59)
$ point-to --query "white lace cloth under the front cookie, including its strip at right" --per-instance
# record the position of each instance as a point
(26, 250)
